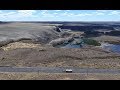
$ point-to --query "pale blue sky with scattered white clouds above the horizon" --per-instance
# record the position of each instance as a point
(59, 15)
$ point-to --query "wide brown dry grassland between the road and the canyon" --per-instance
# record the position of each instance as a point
(21, 54)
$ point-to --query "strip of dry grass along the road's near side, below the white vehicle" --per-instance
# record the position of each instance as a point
(58, 76)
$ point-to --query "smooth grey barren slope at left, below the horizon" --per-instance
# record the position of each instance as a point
(20, 31)
